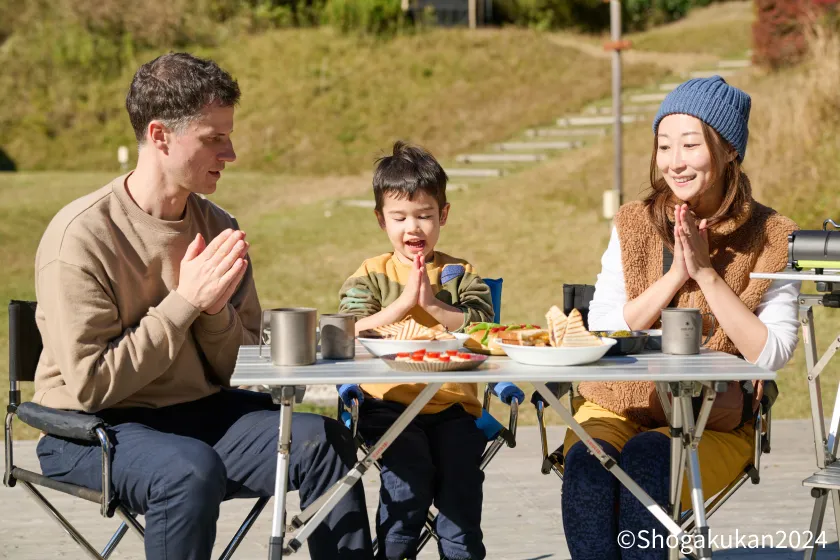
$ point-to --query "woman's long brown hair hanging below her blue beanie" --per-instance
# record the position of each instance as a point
(736, 187)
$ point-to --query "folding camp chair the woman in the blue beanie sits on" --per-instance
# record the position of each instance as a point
(580, 296)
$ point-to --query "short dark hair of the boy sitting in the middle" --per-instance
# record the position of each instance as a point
(407, 170)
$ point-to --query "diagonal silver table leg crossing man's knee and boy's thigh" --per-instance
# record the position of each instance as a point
(318, 510)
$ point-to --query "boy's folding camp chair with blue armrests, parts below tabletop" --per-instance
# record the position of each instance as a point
(497, 436)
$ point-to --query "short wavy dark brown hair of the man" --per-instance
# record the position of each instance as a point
(174, 88)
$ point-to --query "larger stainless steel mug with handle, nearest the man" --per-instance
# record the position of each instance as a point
(291, 335)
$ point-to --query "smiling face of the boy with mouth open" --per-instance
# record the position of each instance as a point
(413, 226)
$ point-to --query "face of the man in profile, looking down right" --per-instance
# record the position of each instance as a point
(195, 157)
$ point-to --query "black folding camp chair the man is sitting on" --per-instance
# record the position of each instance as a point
(25, 347)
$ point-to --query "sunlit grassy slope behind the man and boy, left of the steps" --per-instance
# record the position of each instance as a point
(315, 102)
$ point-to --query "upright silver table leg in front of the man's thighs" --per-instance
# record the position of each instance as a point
(286, 398)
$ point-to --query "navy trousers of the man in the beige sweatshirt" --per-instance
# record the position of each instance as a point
(176, 464)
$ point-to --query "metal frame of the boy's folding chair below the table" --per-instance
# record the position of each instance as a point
(507, 436)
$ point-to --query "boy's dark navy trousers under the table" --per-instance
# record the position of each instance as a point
(435, 460)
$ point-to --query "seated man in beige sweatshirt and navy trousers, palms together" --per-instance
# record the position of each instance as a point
(145, 293)
